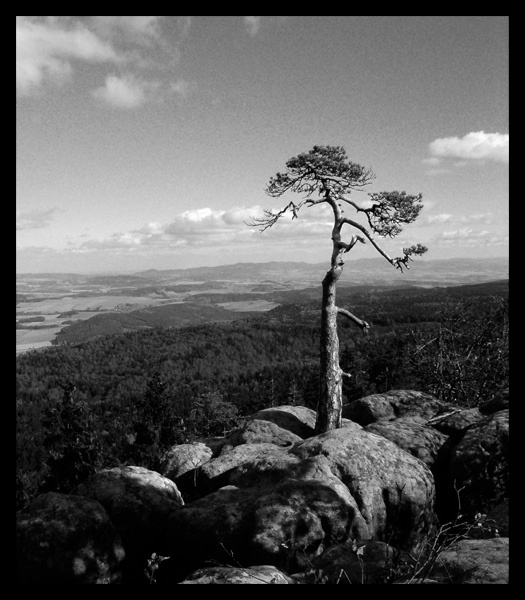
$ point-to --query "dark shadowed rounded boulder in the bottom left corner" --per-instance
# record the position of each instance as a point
(62, 539)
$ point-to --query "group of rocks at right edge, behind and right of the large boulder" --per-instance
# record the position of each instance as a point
(464, 449)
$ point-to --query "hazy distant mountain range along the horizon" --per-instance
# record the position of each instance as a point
(285, 275)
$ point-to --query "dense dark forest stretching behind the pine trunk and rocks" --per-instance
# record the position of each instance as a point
(124, 399)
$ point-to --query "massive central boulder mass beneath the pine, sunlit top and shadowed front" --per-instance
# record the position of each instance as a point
(285, 506)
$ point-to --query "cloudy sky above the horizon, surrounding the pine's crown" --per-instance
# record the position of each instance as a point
(148, 142)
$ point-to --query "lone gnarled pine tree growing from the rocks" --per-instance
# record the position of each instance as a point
(325, 175)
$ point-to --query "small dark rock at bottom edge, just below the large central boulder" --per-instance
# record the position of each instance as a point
(362, 562)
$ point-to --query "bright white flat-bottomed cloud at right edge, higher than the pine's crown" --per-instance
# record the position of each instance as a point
(476, 145)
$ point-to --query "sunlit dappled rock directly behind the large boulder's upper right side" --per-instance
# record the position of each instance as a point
(425, 443)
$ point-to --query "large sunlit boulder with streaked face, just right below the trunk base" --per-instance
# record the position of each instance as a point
(394, 491)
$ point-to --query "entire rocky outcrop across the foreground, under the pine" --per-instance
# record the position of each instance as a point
(274, 503)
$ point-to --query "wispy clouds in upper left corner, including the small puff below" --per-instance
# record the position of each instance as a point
(51, 49)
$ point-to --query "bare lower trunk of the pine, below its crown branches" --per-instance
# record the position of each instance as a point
(330, 386)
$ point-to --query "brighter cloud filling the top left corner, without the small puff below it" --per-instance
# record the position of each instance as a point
(45, 49)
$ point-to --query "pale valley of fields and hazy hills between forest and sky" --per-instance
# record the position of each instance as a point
(73, 307)
